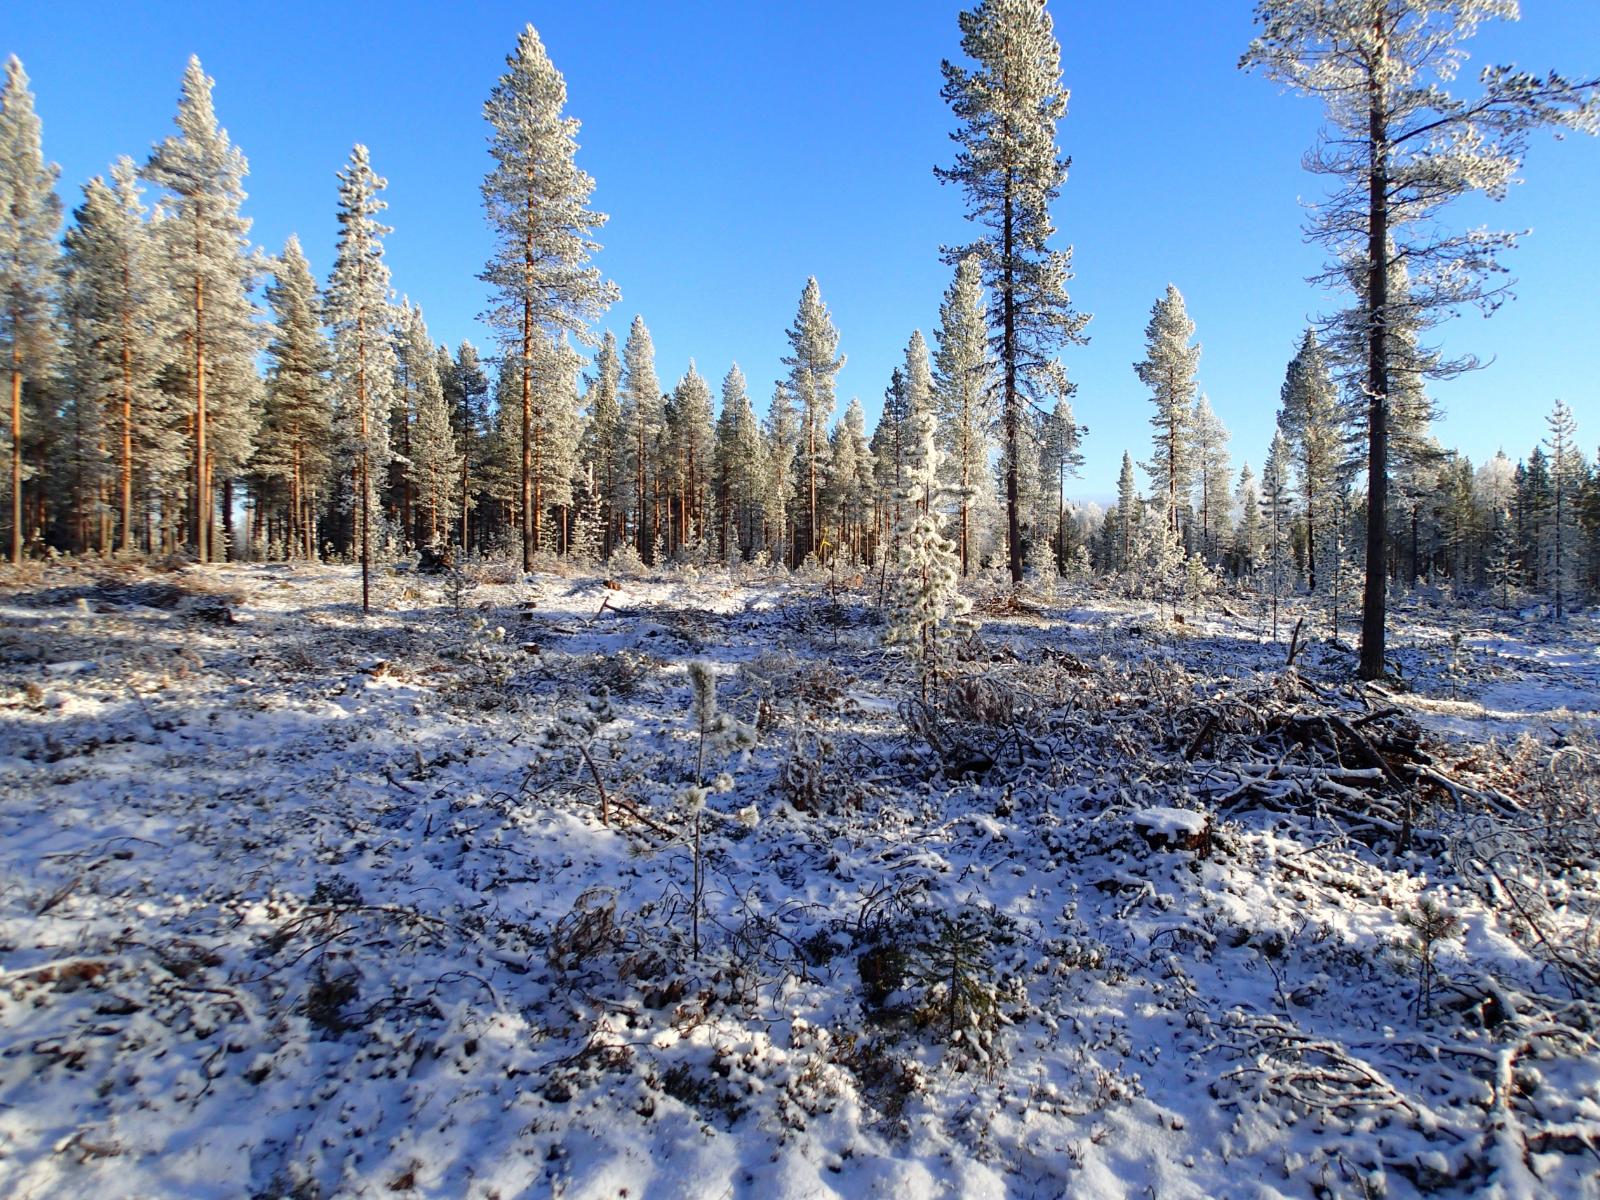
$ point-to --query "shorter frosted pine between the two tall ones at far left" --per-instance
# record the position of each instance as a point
(116, 310)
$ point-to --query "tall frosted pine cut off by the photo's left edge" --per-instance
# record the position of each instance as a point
(30, 217)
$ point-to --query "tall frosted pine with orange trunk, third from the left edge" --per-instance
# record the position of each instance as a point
(209, 266)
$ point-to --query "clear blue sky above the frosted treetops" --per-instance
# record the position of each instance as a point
(742, 148)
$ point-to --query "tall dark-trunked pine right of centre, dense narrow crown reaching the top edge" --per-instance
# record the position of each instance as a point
(1010, 170)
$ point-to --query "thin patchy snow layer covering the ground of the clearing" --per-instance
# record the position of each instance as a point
(302, 903)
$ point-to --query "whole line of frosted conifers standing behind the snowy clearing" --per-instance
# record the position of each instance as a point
(175, 390)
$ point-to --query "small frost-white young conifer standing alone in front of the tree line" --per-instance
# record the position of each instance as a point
(927, 598)
